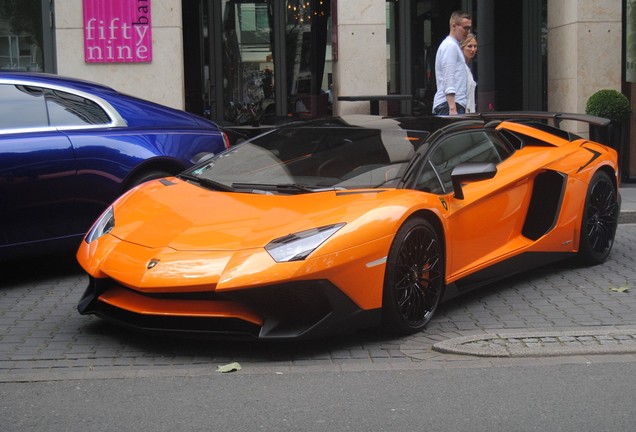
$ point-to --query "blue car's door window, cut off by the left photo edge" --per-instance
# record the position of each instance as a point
(22, 107)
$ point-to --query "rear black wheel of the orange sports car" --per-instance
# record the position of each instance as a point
(600, 219)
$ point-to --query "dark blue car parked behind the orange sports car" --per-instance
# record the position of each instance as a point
(69, 147)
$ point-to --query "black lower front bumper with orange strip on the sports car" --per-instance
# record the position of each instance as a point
(293, 310)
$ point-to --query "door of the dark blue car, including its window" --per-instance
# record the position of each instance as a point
(37, 169)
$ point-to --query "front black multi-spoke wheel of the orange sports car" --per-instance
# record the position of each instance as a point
(414, 278)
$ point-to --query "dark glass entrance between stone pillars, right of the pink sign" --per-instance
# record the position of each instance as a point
(250, 62)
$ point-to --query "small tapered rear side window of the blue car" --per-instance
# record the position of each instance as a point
(66, 109)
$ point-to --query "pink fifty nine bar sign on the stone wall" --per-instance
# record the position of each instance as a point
(117, 31)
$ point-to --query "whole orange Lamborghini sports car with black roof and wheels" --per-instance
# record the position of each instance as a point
(337, 224)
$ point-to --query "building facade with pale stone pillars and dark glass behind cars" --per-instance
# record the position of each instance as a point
(280, 59)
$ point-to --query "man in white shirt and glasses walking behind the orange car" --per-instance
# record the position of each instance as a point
(450, 68)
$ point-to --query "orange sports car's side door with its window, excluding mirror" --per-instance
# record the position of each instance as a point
(483, 226)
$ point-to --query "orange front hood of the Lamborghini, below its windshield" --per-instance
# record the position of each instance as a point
(183, 216)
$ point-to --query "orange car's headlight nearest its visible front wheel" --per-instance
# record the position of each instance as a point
(297, 246)
